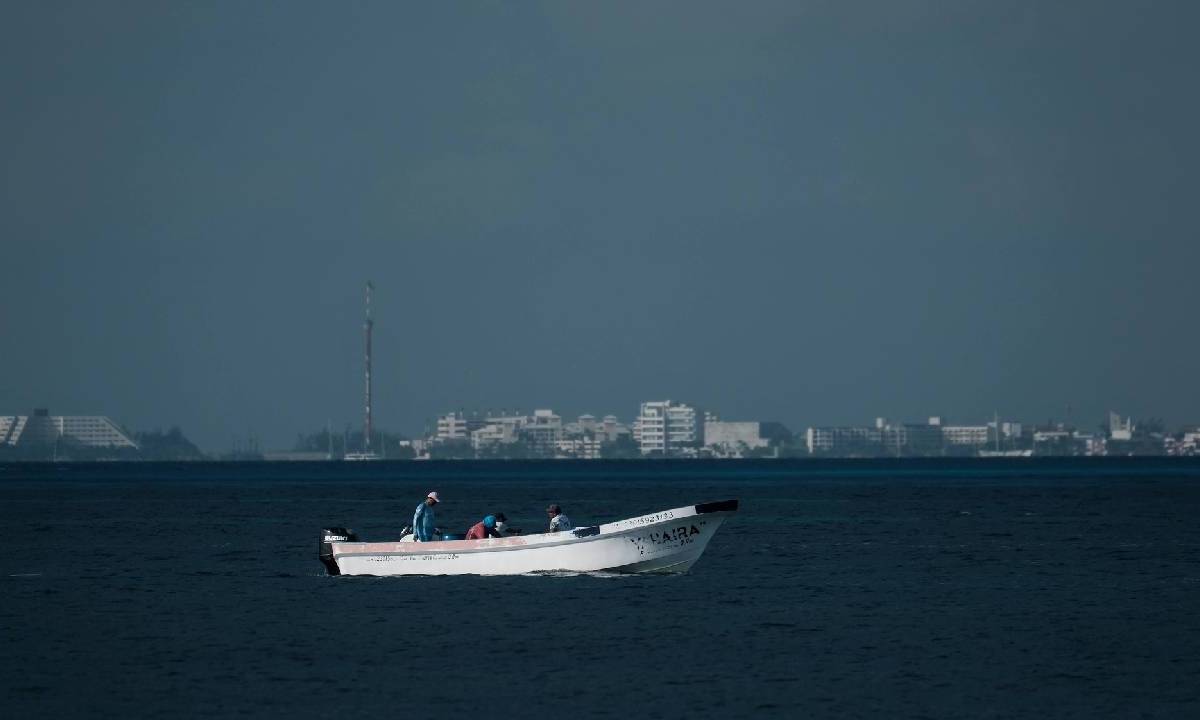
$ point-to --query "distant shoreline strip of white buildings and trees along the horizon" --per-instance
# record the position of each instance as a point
(661, 428)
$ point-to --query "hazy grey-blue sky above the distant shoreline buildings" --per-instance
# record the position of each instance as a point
(813, 212)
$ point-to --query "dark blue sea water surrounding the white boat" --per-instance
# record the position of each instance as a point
(854, 590)
